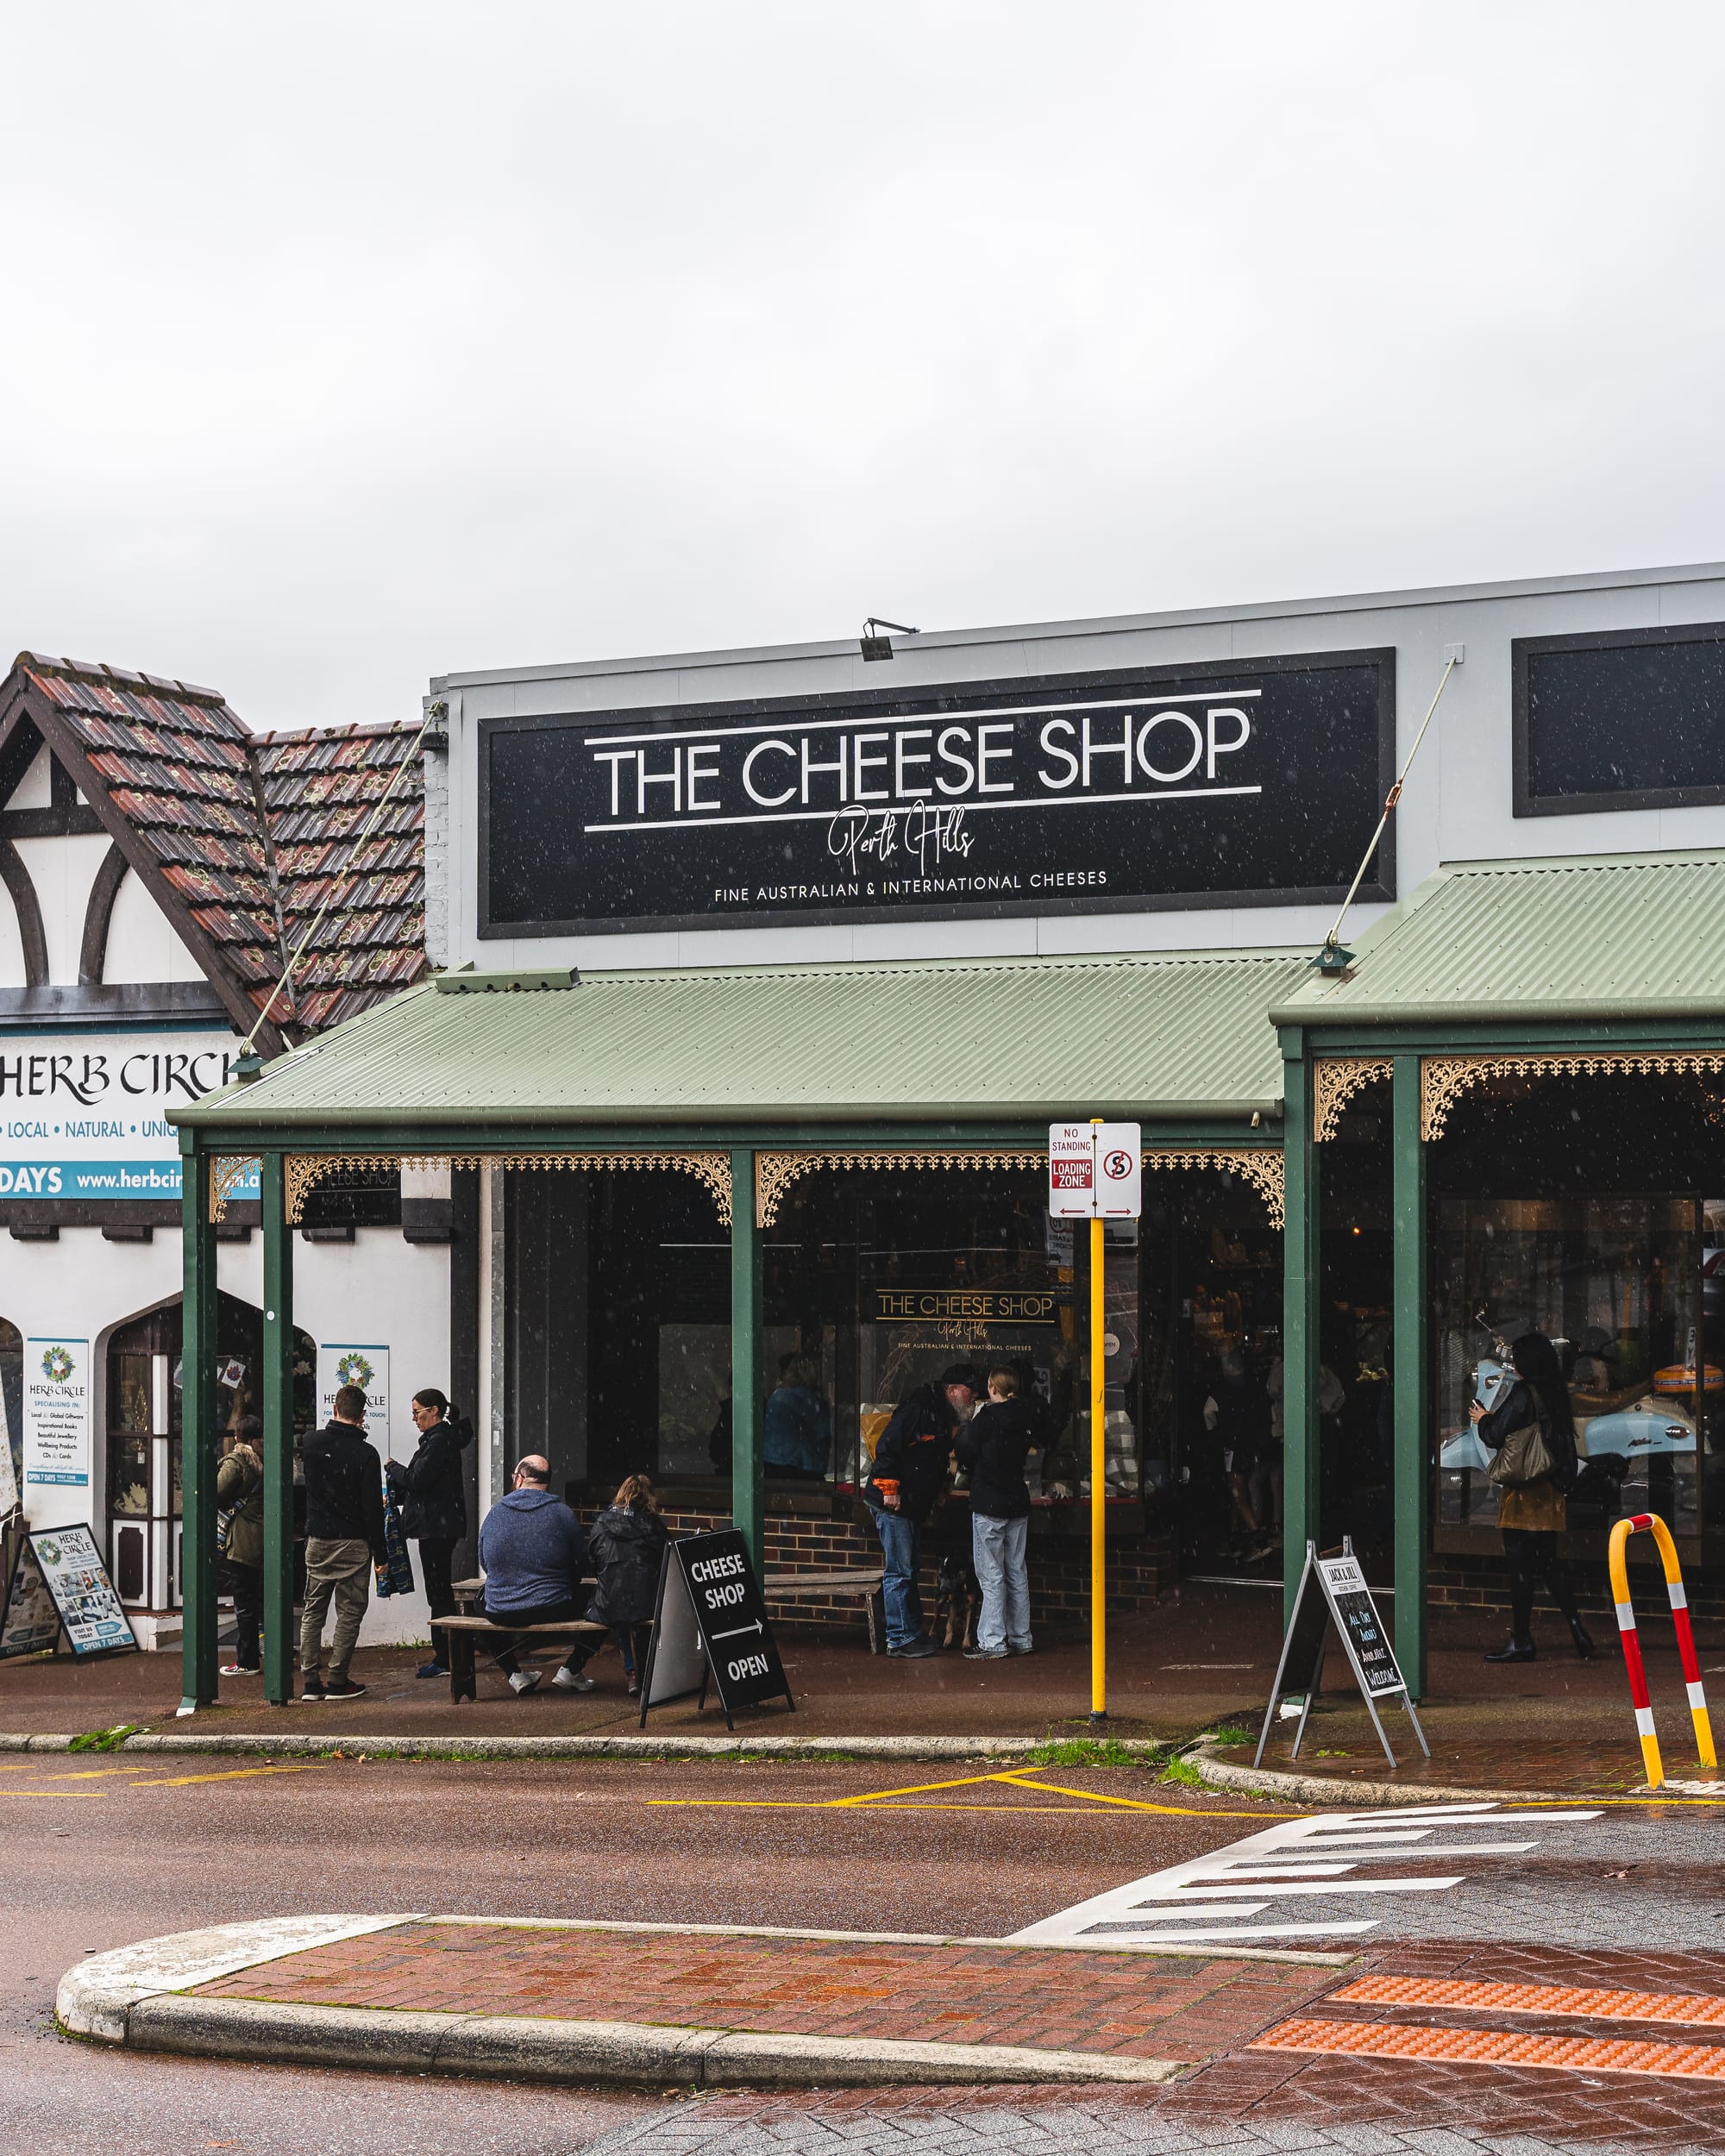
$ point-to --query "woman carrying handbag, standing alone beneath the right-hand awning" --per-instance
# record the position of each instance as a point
(1534, 1439)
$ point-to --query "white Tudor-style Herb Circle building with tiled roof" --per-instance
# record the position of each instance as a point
(158, 861)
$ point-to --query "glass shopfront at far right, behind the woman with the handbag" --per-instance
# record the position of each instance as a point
(1579, 1208)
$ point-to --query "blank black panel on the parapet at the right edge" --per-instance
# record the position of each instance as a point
(1633, 719)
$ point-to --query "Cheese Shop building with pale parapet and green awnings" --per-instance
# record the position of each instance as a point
(758, 978)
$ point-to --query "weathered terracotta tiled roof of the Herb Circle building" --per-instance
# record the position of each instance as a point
(245, 835)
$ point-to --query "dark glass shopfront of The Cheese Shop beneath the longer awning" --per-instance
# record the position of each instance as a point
(874, 1284)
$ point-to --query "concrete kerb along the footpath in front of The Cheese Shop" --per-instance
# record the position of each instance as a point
(314, 1743)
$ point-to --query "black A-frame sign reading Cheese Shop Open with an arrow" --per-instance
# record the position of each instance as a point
(710, 1627)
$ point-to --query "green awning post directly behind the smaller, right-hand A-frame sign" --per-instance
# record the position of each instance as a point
(1299, 1327)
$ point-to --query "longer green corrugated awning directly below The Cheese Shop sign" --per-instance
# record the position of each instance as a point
(1002, 1040)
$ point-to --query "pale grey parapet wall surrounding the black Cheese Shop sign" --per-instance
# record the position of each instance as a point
(1459, 801)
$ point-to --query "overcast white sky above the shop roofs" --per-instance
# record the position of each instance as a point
(350, 344)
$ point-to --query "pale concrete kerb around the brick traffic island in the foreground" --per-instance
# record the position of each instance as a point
(137, 1998)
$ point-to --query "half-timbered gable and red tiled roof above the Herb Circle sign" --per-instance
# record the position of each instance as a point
(139, 818)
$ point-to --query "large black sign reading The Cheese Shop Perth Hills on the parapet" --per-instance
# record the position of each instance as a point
(1209, 786)
